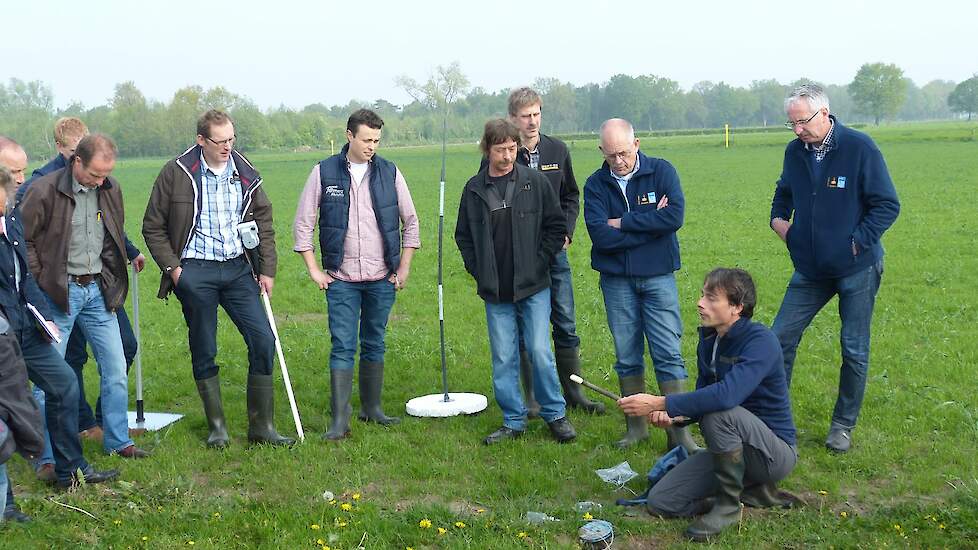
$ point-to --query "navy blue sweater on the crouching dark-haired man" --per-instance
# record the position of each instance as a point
(748, 371)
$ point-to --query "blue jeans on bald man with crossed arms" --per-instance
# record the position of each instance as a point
(645, 309)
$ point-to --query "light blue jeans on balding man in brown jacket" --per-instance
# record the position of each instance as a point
(86, 307)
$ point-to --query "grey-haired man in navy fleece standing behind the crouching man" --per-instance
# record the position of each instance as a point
(832, 203)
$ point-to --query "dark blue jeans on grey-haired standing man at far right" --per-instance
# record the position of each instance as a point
(857, 295)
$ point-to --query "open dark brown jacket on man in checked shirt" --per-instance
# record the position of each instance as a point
(174, 211)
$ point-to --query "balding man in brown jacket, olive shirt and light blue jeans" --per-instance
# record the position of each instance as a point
(73, 221)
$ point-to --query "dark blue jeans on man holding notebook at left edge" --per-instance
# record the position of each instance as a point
(48, 371)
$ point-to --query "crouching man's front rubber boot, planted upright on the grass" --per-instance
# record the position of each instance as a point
(727, 510)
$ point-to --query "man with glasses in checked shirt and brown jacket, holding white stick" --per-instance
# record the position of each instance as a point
(208, 225)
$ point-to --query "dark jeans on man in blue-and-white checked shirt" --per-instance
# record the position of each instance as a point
(204, 285)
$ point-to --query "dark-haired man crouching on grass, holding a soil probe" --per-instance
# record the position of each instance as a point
(741, 402)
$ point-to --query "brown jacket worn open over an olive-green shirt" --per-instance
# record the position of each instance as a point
(46, 213)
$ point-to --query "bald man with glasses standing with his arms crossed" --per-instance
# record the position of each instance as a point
(633, 206)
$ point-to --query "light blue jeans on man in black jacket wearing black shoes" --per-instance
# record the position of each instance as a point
(529, 319)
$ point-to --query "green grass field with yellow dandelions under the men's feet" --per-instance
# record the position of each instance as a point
(909, 481)
